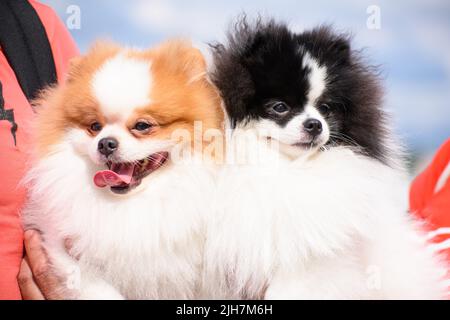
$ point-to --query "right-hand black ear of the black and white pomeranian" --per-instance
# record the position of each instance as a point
(322, 42)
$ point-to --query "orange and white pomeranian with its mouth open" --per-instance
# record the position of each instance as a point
(104, 173)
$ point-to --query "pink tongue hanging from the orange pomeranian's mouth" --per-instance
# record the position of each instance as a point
(119, 174)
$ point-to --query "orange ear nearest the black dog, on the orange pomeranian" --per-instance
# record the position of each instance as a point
(180, 56)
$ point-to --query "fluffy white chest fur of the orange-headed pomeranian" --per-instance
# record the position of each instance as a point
(145, 245)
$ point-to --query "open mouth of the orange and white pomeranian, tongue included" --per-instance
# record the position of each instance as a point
(122, 177)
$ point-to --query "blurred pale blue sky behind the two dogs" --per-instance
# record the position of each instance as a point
(412, 46)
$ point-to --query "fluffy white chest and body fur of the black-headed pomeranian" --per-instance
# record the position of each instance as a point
(332, 226)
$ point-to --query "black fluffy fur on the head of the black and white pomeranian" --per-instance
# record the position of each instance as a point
(262, 62)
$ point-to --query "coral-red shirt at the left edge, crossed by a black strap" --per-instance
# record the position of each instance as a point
(12, 156)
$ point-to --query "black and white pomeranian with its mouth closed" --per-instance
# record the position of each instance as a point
(312, 203)
